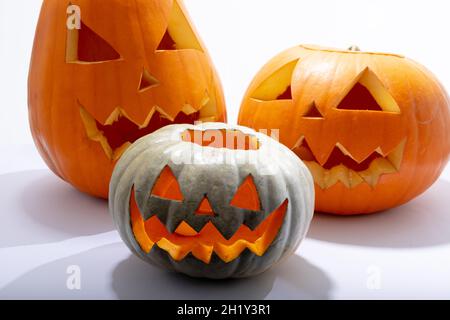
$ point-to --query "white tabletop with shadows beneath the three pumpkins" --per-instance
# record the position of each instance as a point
(47, 227)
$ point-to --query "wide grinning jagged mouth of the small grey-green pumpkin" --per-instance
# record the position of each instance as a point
(206, 242)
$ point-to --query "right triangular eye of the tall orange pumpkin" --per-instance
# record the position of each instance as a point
(179, 34)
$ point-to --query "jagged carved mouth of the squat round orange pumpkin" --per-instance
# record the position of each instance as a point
(342, 167)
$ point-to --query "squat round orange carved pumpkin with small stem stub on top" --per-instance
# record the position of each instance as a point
(373, 128)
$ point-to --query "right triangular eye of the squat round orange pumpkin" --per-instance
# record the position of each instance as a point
(369, 94)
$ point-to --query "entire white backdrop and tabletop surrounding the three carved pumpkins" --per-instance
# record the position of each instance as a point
(47, 226)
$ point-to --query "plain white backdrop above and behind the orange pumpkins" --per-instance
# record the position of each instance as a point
(242, 35)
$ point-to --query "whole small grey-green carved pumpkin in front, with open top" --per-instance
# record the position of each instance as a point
(233, 211)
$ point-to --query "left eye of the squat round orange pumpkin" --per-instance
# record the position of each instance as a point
(278, 85)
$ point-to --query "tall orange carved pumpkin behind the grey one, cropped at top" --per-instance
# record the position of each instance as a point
(105, 73)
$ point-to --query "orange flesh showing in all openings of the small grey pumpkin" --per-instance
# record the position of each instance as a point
(185, 239)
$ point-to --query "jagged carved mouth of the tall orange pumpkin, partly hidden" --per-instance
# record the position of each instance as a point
(120, 131)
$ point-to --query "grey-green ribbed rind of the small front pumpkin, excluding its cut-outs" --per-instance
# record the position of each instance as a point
(141, 165)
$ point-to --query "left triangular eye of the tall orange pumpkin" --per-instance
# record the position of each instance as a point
(84, 45)
